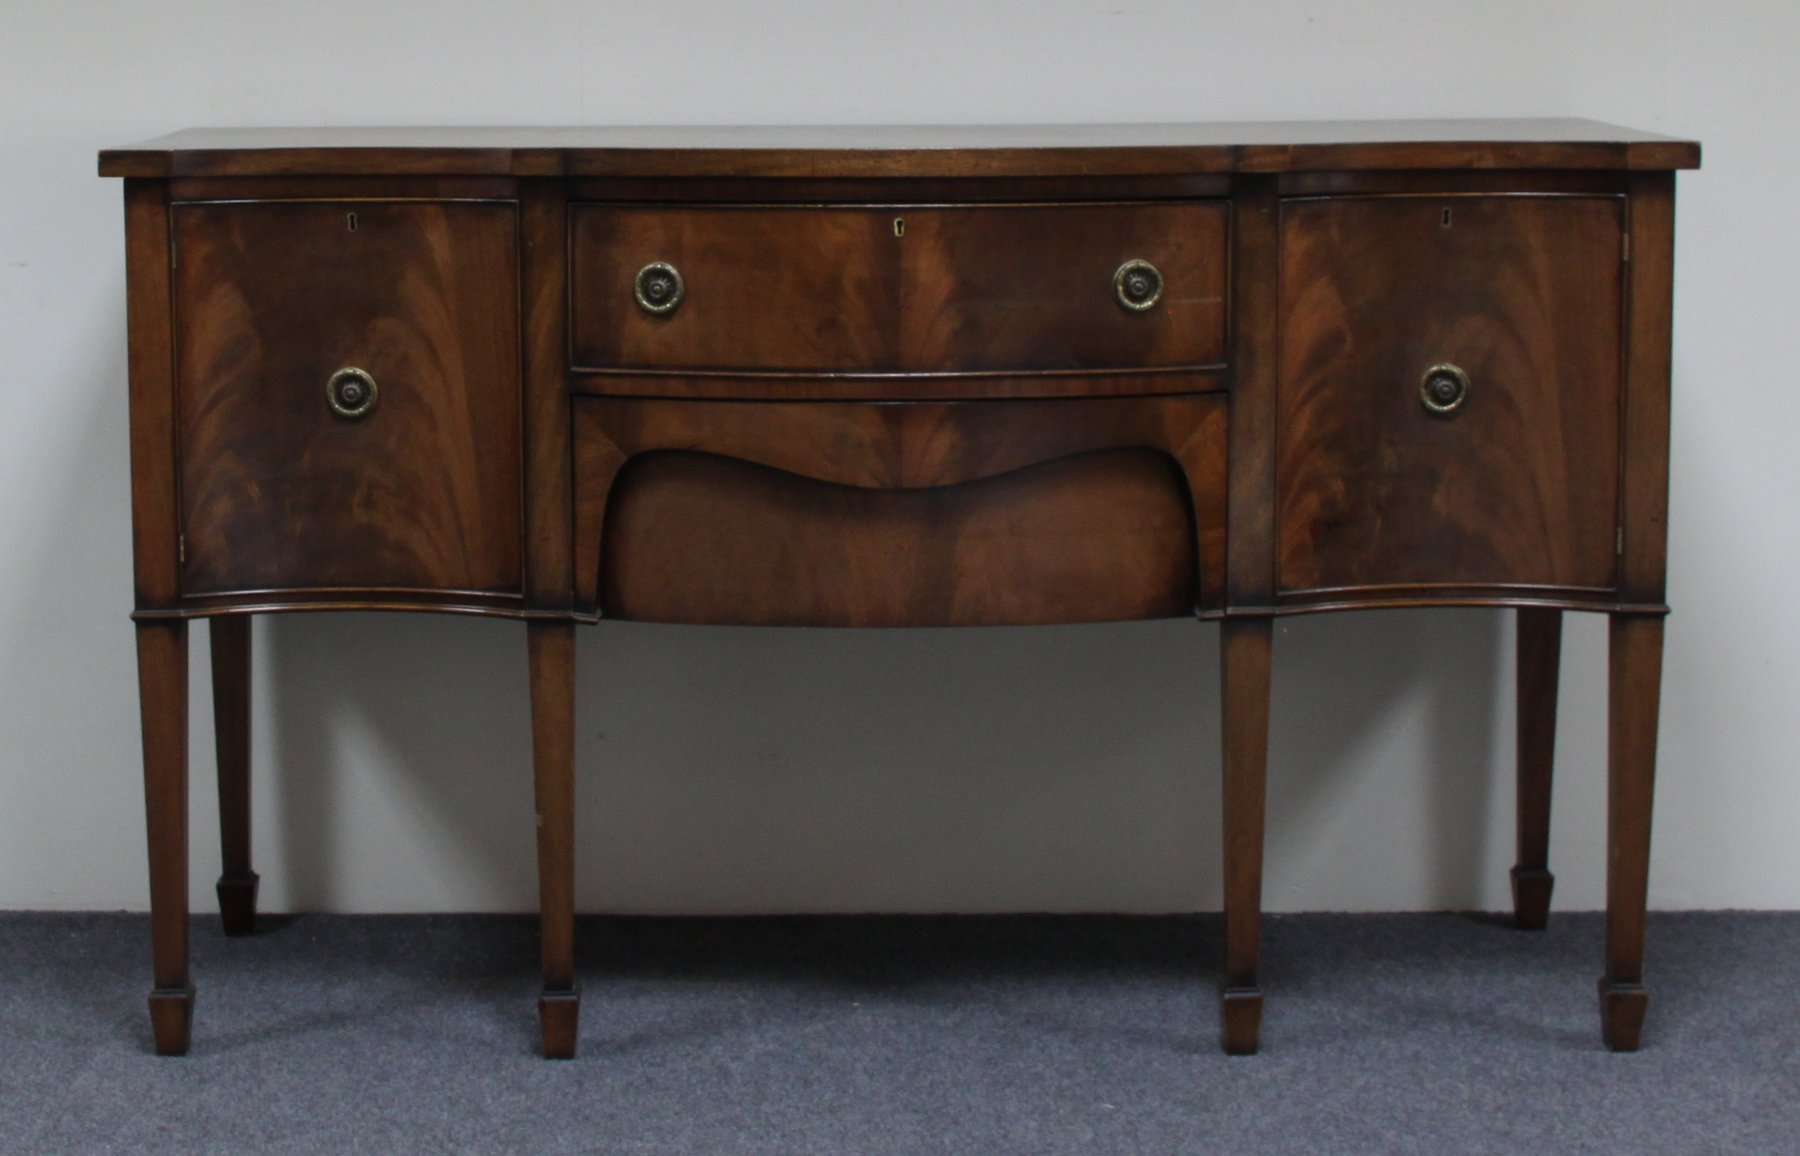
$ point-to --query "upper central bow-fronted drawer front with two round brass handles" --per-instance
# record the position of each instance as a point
(978, 289)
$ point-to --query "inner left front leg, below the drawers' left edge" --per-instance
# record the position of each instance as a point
(552, 646)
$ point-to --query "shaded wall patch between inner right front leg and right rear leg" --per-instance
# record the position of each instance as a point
(1408, 701)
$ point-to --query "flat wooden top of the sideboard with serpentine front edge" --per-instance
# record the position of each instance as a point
(973, 150)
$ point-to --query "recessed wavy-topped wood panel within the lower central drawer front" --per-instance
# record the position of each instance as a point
(701, 539)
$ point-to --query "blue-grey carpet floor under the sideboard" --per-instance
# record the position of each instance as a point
(1426, 1034)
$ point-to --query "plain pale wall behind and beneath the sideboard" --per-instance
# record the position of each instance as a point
(924, 772)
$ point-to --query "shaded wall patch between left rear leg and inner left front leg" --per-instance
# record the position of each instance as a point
(399, 759)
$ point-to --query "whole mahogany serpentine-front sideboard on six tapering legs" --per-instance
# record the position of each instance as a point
(901, 377)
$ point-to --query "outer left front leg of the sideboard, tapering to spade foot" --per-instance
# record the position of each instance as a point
(163, 705)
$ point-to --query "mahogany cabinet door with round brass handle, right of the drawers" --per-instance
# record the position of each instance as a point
(1450, 393)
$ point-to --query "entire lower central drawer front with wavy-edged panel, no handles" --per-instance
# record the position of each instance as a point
(931, 514)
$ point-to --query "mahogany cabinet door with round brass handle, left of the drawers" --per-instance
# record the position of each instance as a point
(348, 397)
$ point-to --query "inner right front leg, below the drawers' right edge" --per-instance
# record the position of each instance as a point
(1245, 656)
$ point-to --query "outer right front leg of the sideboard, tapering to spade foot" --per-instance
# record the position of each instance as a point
(1635, 694)
